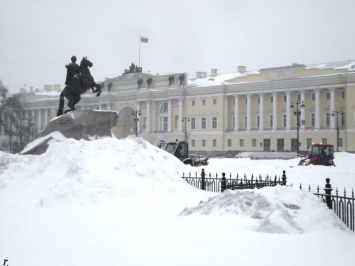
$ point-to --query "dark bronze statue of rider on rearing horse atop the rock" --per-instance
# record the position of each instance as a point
(78, 81)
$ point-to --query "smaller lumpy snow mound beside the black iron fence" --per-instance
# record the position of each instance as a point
(278, 209)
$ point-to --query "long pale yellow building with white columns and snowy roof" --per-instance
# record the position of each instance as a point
(270, 109)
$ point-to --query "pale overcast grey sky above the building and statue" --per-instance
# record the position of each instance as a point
(38, 37)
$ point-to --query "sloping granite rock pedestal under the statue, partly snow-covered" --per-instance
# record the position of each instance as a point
(79, 124)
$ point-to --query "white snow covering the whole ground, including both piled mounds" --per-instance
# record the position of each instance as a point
(123, 202)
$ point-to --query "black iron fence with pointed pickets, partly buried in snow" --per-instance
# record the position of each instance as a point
(343, 206)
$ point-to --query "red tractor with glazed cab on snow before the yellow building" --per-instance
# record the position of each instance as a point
(320, 154)
